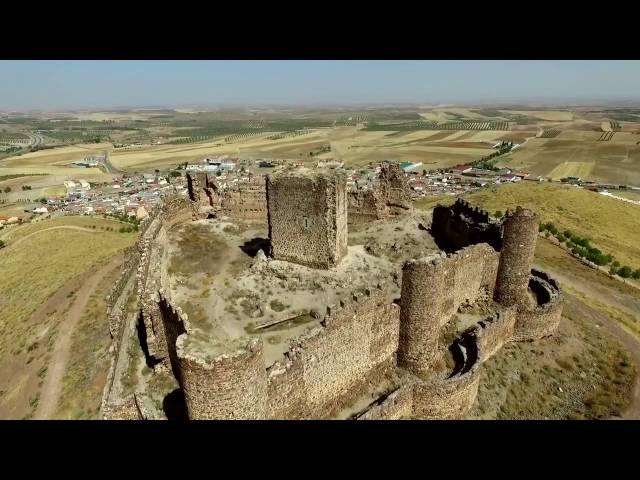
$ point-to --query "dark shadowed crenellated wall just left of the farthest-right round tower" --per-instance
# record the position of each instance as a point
(461, 225)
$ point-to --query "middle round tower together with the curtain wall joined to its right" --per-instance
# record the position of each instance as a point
(432, 291)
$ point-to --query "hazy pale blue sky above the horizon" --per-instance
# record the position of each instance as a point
(107, 84)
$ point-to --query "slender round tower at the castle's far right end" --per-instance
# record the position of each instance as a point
(518, 246)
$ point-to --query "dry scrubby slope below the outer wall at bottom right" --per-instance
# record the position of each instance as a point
(580, 373)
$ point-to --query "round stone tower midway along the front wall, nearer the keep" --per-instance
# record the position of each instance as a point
(424, 288)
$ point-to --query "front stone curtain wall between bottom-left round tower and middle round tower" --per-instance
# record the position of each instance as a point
(325, 368)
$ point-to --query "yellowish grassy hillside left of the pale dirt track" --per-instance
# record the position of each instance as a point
(39, 259)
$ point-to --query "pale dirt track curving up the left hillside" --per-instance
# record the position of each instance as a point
(52, 386)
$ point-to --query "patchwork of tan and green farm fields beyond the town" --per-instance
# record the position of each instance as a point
(596, 144)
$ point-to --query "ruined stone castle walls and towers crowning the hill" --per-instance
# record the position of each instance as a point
(376, 353)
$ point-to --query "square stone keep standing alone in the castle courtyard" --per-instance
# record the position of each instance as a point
(308, 218)
